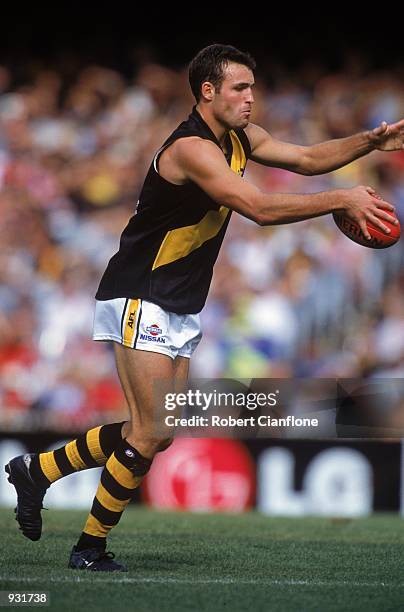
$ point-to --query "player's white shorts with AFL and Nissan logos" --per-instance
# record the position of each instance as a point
(145, 326)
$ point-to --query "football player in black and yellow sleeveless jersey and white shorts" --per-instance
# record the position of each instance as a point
(153, 289)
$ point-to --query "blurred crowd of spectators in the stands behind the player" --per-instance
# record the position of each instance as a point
(286, 301)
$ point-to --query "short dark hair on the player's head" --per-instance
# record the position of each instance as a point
(209, 65)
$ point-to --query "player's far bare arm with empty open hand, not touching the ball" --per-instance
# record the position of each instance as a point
(326, 156)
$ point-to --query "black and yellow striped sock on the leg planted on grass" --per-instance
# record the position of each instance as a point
(121, 475)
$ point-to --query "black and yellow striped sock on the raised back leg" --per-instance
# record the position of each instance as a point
(89, 450)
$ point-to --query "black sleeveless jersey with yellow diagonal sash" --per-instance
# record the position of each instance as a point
(169, 247)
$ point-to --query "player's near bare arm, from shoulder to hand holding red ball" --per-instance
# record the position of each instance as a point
(202, 162)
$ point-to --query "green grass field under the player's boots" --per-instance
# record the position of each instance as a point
(181, 561)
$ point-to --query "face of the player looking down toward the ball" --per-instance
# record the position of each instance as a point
(232, 104)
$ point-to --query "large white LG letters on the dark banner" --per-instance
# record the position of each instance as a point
(336, 482)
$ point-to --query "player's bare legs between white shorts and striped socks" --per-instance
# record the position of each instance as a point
(138, 372)
